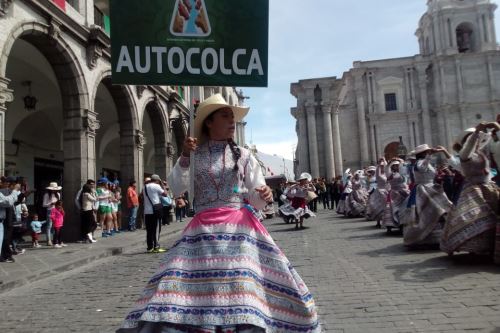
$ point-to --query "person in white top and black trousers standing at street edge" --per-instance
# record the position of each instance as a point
(153, 210)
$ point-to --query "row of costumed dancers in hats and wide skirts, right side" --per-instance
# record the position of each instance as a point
(405, 194)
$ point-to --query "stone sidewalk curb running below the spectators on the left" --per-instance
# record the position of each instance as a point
(50, 272)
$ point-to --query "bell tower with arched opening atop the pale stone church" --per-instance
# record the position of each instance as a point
(457, 26)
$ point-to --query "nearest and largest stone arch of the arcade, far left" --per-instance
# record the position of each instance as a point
(78, 159)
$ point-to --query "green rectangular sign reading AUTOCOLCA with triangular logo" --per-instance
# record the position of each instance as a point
(190, 42)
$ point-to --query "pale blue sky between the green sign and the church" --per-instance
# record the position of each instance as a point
(322, 38)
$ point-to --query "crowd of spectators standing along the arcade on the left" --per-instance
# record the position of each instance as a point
(100, 207)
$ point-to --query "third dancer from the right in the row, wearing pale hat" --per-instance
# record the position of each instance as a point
(397, 195)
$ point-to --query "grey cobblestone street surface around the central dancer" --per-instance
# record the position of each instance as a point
(362, 279)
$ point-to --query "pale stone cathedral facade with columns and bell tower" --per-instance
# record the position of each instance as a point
(452, 84)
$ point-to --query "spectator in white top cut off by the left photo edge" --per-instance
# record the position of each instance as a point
(9, 191)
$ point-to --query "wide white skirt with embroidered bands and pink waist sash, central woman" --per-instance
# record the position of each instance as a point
(227, 270)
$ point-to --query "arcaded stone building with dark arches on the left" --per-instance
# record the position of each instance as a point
(62, 119)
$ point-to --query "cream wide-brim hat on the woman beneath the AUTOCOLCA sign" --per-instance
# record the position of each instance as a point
(212, 104)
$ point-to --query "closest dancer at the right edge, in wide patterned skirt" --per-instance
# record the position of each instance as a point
(472, 225)
